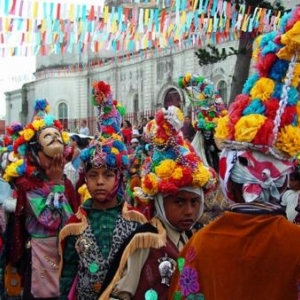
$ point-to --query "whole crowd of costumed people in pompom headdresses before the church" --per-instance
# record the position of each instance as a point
(172, 208)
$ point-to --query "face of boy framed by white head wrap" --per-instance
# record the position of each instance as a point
(182, 209)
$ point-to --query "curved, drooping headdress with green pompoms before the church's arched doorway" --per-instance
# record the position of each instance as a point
(205, 99)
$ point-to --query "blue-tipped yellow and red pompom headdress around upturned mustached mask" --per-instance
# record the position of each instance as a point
(26, 138)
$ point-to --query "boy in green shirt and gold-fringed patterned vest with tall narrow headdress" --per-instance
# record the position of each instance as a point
(91, 238)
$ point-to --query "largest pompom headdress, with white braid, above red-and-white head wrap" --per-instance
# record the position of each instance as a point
(266, 115)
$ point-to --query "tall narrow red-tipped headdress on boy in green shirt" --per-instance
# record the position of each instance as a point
(108, 149)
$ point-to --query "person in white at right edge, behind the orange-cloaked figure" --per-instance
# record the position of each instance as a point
(290, 198)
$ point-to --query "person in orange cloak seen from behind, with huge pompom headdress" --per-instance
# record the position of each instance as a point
(240, 254)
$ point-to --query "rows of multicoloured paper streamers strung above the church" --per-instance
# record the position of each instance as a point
(44, 27)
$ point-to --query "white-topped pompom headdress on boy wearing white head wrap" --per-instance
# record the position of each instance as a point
(174, 163)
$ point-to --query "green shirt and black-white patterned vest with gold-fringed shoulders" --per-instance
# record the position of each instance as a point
(90, 241)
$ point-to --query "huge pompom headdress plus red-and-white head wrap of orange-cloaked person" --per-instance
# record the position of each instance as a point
(261, 133)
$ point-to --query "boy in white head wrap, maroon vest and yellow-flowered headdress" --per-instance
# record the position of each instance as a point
(174, 178)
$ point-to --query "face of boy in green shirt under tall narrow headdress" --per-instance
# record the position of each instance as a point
(100, 183)
